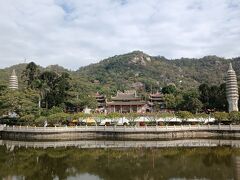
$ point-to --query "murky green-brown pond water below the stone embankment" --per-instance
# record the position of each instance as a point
(18, 160)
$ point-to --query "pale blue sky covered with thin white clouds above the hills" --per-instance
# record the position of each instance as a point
(75, 33)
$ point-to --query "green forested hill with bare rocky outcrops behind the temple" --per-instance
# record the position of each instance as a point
(141, 71)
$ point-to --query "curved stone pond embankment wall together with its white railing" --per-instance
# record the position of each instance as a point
(121, 132)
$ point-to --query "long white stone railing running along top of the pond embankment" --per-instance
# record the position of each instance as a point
(129, 129)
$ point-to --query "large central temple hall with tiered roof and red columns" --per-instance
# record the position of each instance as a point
(126, 102)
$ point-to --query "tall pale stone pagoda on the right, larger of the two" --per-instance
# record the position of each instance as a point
(232, 89)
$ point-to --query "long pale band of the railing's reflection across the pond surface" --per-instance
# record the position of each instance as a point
(88, 144)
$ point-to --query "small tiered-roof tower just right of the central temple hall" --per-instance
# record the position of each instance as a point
(156, 102)
